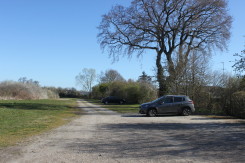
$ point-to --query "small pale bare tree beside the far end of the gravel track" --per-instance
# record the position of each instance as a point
(86, 79)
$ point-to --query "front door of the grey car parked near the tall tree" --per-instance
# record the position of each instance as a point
(166, 105)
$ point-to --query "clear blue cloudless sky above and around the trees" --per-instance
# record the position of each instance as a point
(51, 41)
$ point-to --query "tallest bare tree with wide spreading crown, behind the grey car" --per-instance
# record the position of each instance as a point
(169, 27)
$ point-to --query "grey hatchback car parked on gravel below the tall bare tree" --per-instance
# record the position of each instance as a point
(169, 104)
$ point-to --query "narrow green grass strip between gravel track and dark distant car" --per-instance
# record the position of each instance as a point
(125, 108)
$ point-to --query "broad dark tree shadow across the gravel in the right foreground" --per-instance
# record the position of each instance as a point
(209, 141)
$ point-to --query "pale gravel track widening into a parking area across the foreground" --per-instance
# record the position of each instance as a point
(105, 136)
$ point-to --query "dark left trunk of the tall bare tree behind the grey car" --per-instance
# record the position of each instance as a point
(162, 90)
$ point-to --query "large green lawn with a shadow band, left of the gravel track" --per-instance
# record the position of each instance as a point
(20, 119)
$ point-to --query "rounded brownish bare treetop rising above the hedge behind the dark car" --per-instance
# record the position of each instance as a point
(110, 76)
